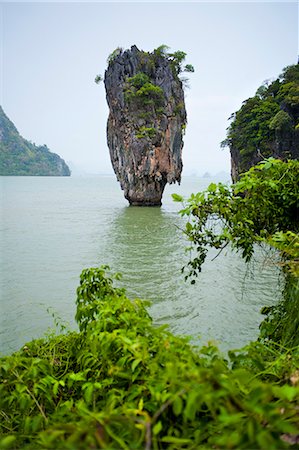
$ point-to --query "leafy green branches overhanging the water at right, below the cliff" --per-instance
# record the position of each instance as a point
(261, 208)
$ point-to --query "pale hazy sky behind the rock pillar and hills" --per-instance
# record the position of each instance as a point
(51, 53)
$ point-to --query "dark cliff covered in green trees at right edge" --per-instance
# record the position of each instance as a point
(266, 124)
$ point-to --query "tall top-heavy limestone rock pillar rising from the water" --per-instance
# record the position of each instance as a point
(146, 123)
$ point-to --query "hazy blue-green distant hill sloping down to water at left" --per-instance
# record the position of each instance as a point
(20, 157)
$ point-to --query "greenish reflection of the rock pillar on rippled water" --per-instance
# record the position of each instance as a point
(145, 245)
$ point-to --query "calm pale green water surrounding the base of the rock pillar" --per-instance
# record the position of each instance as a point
(52, 228)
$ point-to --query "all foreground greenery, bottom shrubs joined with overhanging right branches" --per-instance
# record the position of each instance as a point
(122, 383)
